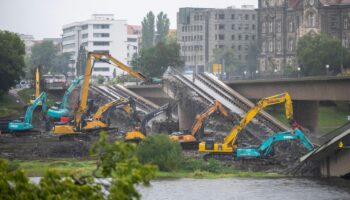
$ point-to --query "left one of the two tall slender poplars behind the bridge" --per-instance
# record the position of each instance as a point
(148, 30)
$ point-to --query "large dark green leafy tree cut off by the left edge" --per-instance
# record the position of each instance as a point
(12, 52)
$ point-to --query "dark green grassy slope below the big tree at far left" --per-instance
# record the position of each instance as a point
(9, 107)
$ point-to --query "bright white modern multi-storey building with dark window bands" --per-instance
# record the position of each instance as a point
(103, 34)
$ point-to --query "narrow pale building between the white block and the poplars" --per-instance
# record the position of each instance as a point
(133, 41)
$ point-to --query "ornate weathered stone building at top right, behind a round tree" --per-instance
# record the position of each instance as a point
(283, 22)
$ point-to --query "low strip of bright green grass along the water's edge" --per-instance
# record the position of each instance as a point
(37, 168)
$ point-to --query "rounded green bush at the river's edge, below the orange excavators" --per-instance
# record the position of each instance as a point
(160, 150)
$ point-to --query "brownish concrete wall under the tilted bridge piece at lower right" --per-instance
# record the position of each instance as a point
(336, 165)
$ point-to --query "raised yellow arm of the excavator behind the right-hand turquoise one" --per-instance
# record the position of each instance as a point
(276, 99)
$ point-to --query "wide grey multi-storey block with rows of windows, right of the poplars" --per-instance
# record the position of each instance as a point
(202, 30)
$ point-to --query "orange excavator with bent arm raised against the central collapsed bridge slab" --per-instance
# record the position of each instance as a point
(188, 140)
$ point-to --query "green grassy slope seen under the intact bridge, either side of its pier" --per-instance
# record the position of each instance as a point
(329, 117)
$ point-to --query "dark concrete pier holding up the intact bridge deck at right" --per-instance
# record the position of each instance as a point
(306, 113)
